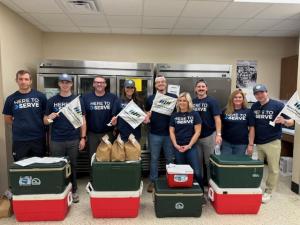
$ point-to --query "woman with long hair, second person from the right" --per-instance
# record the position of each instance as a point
(237, 126)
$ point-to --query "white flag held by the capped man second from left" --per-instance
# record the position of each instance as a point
(73, 112)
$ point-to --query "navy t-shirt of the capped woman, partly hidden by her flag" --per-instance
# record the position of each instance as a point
(124, 128)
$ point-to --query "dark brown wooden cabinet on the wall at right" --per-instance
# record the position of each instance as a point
(288, 79)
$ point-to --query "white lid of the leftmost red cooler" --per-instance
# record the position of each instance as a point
(44, 196)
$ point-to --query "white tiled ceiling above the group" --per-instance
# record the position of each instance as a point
(165, 17)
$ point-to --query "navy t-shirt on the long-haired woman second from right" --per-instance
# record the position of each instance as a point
(235, 126)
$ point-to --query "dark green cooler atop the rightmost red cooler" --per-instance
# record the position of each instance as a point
(236, 171)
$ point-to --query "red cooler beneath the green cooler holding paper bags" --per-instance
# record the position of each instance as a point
(114, 204)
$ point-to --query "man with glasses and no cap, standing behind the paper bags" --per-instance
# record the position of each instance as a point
(100, 107)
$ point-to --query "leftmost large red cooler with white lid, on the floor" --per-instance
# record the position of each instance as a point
(42, 207)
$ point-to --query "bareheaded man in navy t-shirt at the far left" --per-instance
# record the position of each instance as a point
(25, 109)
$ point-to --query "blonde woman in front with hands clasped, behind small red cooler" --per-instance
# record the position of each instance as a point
(185, 128)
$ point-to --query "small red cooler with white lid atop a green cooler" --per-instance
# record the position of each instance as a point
(179, 175)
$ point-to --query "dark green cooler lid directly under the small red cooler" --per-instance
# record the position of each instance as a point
(161, 187)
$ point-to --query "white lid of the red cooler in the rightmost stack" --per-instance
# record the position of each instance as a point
(219, 190)
